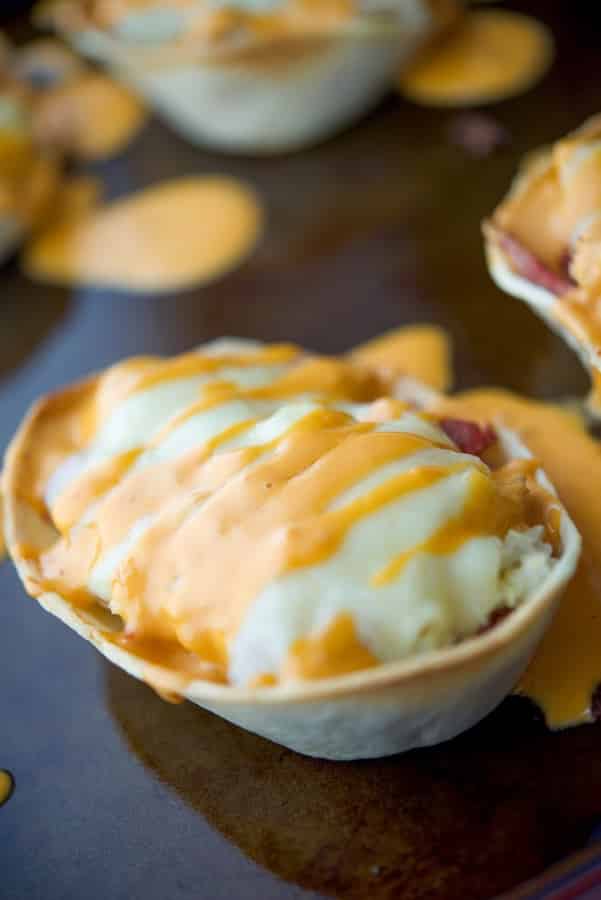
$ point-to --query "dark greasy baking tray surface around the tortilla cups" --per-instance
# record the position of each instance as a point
(120, 795)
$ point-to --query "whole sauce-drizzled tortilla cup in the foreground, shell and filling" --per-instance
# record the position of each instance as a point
(288, 541)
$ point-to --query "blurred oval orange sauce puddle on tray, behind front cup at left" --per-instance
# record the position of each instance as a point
(168, 237)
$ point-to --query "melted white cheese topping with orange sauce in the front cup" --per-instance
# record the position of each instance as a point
(260, 509)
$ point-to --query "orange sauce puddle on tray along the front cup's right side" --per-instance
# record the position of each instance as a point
(566, 669)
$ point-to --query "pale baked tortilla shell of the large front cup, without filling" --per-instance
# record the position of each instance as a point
(392, 707)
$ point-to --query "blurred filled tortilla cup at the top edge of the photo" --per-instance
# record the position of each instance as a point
(259, 81)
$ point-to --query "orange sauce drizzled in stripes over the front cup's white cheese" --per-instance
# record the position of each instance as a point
(263, 509)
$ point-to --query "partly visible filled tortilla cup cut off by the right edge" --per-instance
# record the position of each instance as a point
(543, 243)
